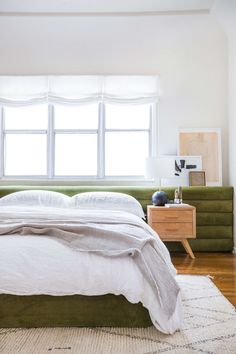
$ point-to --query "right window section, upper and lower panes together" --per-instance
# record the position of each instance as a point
(126, 139)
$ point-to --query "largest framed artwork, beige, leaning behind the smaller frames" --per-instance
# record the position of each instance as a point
(207, 144)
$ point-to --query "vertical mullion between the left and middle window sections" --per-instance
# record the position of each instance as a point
(50, 142)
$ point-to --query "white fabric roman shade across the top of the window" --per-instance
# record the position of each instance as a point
(18, 90)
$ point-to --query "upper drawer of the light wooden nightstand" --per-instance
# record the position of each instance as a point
(172, 216)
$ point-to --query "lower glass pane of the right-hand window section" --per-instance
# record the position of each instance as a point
(126, 153)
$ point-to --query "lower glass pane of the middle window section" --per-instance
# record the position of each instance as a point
(76, 154)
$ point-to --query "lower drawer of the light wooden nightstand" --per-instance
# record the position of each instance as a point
(174, 229)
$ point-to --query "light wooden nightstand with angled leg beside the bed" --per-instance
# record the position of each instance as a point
(174, 223)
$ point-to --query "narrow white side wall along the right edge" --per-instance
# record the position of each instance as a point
(225, 12)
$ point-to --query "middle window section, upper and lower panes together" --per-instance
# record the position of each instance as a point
(76, 139)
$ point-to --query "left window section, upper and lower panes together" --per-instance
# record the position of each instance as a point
(25, 140)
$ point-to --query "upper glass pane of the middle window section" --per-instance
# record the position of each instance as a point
(76, 117)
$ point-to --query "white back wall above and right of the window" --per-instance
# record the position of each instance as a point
(188, 52)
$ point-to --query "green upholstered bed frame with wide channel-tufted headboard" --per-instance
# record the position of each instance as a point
(214, 233)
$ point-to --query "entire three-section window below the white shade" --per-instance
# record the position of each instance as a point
(95, 140)
